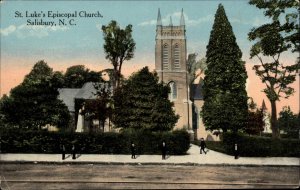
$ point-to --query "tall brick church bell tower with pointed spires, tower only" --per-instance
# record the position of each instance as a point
(170, 64)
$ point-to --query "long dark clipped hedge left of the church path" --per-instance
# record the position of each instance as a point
(20, 141)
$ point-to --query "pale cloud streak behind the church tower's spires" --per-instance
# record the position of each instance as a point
(176, 20)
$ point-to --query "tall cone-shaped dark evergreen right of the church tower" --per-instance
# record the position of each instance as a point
(225, 98)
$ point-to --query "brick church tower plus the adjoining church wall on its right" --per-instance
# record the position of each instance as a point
(171, 66)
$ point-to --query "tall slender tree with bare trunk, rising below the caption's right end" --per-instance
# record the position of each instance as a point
(119, 47)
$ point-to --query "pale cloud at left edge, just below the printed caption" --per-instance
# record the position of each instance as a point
(24, 30)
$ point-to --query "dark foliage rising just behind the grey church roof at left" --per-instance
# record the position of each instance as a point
(76, 76)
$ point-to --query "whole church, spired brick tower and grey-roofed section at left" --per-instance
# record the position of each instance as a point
(171, 67)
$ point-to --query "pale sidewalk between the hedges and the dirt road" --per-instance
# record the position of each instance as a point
(193, 158)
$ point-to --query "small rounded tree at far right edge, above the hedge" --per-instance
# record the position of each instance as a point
(288, 121)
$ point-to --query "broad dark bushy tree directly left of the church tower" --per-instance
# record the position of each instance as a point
(142, 103)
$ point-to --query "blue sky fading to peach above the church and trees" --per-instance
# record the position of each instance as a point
(62, 46)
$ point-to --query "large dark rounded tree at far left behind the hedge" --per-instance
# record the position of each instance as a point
(34, 103)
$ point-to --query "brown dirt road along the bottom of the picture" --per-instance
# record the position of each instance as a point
(93, 176)
